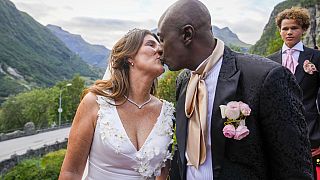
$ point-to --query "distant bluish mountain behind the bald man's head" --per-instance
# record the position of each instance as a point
(227, 36)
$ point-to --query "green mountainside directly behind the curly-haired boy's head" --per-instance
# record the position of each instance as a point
(270, 40)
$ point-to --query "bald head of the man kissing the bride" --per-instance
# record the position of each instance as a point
(185, 34)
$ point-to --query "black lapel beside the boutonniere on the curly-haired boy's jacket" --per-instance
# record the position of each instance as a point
(304, 55)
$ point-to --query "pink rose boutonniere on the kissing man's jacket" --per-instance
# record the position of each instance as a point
(235, 113)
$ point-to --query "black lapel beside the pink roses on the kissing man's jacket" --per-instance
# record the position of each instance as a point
(226, 91)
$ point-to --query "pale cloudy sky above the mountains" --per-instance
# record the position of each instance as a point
(103, 22)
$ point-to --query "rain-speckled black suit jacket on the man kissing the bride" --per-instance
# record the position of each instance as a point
(277, 146)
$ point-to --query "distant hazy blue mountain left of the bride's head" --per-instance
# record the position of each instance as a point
(96, 55)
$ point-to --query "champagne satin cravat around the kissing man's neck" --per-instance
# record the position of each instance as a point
(196, 108)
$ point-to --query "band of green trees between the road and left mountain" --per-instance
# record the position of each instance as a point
(40, 106)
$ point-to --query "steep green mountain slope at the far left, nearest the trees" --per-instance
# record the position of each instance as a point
(31, 56)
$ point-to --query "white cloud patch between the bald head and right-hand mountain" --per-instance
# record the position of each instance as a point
(247, 19)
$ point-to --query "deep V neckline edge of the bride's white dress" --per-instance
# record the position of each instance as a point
(149, 135)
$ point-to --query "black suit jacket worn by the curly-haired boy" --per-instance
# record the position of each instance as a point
(310, 87)
